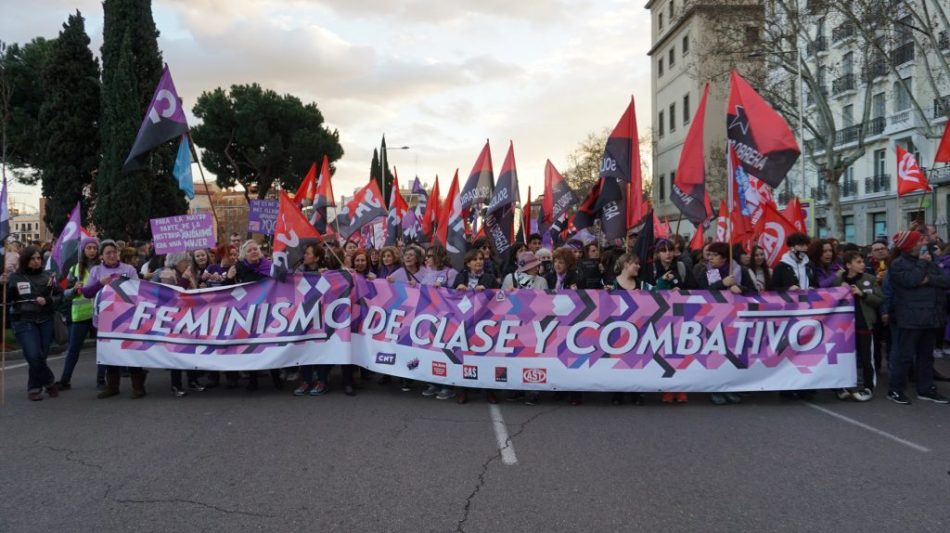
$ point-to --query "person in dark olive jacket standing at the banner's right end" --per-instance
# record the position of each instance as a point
(868, 298)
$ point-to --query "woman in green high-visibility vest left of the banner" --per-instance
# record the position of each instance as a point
(81, 312)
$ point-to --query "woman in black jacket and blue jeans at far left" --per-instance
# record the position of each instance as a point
(34, 295)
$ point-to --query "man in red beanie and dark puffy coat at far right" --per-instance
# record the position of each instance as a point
(918, 297)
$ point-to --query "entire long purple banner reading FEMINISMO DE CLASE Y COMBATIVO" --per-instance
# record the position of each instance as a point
(527, 339)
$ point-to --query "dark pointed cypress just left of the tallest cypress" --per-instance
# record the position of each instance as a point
(69, 120)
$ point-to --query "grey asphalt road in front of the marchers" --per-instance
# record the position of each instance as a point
(392, 461)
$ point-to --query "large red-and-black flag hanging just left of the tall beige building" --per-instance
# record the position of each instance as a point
(620, 181)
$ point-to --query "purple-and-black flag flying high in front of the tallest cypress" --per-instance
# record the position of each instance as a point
(164, 121)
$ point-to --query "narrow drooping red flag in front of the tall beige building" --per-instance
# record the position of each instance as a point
(689, 186)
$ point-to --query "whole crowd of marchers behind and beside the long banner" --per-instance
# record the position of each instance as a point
(900, 286)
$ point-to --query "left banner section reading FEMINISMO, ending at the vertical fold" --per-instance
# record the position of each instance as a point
(254, 326)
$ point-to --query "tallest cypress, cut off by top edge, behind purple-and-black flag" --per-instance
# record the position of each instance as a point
(131, 67)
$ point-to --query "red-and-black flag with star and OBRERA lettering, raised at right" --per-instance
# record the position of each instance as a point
(761, 138)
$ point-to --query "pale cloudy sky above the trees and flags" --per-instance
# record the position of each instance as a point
(440, 76)
